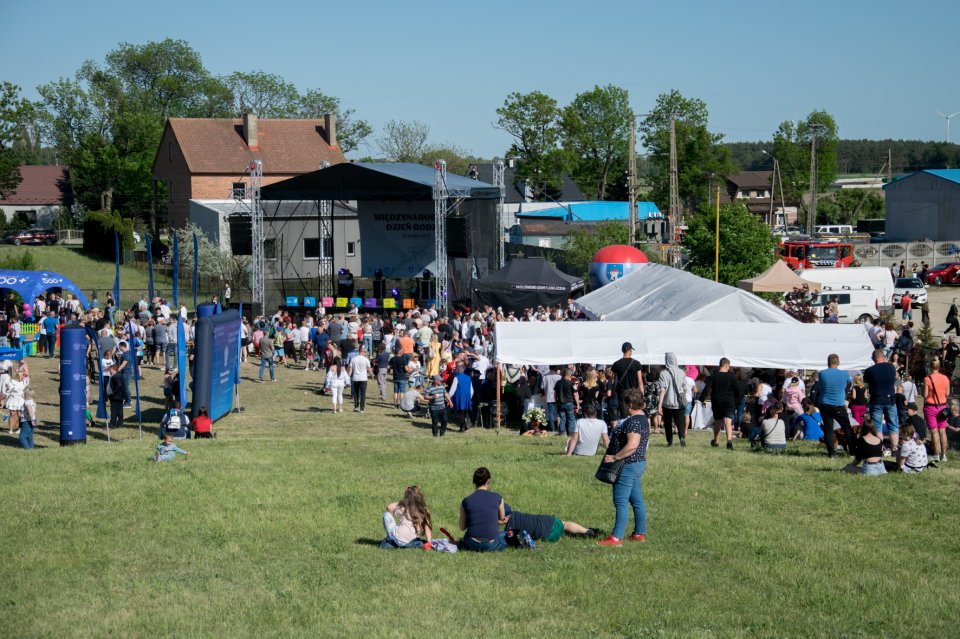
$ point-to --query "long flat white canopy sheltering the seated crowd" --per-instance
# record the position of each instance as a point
(748, 344)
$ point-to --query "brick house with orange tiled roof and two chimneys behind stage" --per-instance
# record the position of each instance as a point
(210, 158)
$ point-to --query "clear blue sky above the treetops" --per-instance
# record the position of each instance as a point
(881, 68)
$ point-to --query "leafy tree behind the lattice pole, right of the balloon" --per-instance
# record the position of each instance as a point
(701, 159)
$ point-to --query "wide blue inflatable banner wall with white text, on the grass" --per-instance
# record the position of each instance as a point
(215, 363)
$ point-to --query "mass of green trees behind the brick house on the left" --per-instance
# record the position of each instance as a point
(105, 122)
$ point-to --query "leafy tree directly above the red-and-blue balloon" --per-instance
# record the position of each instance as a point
(595, 131)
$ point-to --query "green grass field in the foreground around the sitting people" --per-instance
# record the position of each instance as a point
(270, 530)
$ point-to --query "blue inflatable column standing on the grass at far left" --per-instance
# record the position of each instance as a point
(73, 385)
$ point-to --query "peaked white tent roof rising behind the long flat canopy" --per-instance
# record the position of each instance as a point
(653, 292)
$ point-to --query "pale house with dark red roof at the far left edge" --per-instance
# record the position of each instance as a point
(42, 191)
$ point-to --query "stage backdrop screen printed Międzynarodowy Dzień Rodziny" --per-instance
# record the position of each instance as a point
(397, 238)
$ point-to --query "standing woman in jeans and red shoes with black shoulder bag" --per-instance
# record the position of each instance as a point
(628, 441)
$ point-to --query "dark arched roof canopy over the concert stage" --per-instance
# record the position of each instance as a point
(374, 181)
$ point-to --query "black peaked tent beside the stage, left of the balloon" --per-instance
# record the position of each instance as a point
(526, 283)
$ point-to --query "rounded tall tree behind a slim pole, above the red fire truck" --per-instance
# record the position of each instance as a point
(791, 146)
